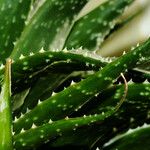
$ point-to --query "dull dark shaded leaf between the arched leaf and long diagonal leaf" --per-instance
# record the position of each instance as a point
(53, 82)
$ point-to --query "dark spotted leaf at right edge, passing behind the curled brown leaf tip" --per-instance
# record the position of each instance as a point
(133, 112)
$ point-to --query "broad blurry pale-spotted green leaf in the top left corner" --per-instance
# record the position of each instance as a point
(12, 21)
